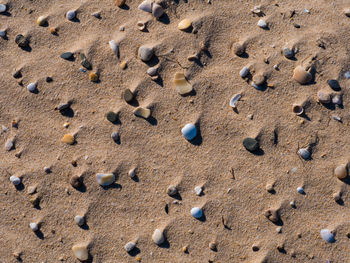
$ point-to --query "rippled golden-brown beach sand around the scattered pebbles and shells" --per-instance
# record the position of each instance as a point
(133, 209)
